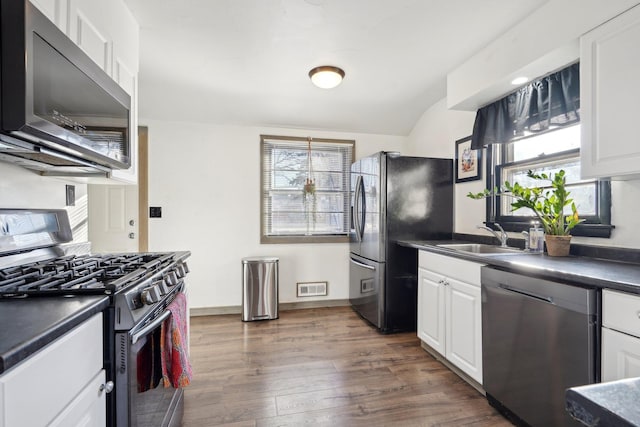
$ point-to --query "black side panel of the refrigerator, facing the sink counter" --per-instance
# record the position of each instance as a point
(419, 206)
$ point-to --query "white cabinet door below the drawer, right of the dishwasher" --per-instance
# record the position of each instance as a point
(620, 355)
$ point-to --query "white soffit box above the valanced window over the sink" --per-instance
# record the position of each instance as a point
(545, 40)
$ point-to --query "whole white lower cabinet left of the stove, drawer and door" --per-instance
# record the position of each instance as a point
(60, 385)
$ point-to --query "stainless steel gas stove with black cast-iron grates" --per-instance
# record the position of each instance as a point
(140, 287)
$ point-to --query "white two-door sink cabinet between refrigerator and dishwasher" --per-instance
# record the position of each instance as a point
(449, 310)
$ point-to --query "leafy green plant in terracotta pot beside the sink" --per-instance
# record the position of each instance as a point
(547, 204)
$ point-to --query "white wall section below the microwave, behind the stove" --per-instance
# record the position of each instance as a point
(20, 188)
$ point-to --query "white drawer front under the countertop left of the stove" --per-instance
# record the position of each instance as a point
(51, 378)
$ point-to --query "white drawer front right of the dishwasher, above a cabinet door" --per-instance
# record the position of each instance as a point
(621, 311)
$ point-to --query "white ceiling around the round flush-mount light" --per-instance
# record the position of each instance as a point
(245, 62)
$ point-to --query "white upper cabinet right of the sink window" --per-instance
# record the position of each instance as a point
(609, 92)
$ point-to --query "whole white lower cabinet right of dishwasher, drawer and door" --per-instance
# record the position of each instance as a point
(620, 335)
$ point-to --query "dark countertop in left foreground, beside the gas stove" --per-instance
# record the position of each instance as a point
(29, 324)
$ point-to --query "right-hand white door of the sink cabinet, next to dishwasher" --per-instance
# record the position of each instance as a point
(464, 327)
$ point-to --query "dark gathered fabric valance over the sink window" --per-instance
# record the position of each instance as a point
(551, 100)
